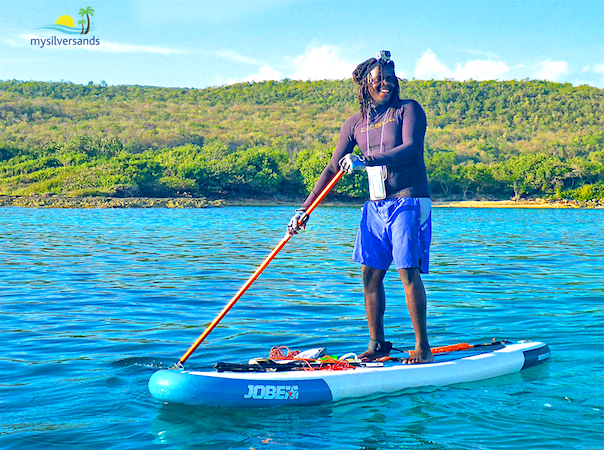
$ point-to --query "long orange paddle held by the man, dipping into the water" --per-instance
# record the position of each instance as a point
(257, 273)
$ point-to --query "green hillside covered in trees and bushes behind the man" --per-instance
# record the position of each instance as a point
(496, 139)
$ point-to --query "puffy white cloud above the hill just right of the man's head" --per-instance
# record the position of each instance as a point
(430, 67)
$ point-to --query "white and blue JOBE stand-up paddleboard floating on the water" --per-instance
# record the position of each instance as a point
(266, 382)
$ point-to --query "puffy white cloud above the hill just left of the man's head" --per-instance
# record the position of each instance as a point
(322, 63)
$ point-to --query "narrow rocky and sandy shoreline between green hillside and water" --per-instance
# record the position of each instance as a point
(202, 202)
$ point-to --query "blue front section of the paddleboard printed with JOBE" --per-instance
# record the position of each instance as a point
(184, 387)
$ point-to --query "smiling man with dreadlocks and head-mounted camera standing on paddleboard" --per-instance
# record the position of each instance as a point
(396, 222)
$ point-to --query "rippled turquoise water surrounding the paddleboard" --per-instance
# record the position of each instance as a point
(92, 300)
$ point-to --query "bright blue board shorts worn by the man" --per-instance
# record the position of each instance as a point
(399, 230)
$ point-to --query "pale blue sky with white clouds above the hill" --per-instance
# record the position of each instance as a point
(197, 44)
